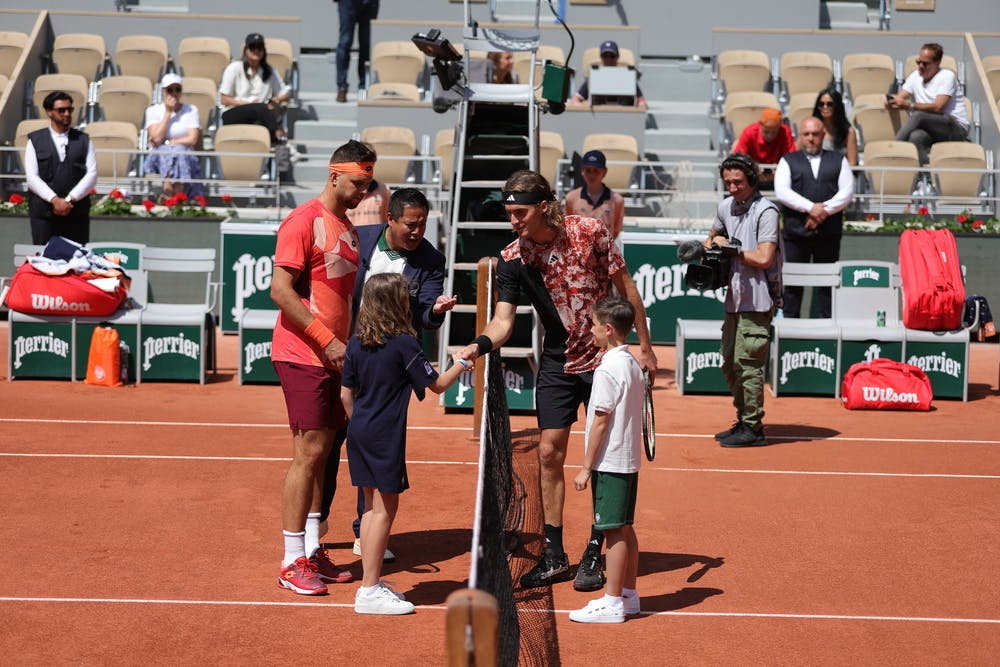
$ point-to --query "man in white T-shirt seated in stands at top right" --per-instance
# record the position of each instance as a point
(935, 101)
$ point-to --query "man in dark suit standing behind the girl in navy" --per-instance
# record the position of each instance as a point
(398, 246)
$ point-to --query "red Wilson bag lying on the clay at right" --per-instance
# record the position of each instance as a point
(884, 384)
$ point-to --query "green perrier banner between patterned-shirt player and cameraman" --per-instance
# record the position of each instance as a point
(659, 278)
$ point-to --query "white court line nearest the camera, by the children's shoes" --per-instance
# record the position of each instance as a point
(723, 614)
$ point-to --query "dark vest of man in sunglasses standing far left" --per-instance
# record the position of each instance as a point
(62, 175)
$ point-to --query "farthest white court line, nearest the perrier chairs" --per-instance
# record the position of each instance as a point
(810, 438)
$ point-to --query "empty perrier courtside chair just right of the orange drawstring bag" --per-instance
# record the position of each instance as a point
(178, 339)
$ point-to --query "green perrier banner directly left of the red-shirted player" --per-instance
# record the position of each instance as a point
(247, 265)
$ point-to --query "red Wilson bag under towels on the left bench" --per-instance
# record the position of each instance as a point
(36, 293)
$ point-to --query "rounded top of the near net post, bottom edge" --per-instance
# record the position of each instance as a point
(471, 629)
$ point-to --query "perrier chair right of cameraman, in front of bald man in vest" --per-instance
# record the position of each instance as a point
(805, 351)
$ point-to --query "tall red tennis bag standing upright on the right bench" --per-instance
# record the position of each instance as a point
(933, 292)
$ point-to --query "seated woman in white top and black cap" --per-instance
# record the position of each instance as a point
(252, 91)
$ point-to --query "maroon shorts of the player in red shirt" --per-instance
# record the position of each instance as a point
(312, 396)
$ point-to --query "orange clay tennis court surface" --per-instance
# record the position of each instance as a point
(141, 524)
